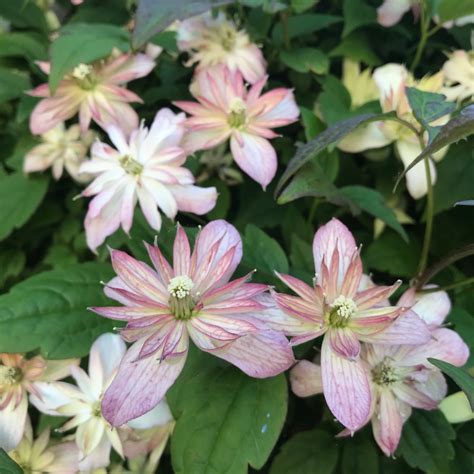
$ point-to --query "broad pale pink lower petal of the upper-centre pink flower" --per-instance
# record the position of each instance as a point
(255, 156)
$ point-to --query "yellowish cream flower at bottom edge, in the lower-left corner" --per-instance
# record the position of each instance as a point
(40, 456)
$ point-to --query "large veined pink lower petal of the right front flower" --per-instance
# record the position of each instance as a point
(346, 388)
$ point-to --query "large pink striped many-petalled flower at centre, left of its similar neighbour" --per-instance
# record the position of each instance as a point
(167, 305)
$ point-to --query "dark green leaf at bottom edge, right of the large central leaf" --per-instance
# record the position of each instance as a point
(308, 452)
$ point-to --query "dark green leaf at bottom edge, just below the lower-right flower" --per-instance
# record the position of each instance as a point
(426, 442)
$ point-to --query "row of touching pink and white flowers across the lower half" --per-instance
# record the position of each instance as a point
(373, 364)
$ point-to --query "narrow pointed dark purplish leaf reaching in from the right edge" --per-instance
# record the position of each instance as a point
(457, 128)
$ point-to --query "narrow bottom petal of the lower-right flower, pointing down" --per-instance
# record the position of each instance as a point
(387, 423)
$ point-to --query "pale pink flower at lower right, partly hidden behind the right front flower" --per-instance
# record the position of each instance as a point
(401, 378)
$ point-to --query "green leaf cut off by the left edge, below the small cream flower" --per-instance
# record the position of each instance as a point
(20, 196)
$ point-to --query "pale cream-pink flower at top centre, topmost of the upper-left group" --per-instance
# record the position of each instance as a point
(212, 41)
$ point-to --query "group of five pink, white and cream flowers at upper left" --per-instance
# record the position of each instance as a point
(147, 165)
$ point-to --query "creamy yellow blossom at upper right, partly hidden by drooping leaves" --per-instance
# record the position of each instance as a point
(391, 80)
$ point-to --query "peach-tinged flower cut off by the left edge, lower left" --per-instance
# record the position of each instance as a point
(19, 376)
